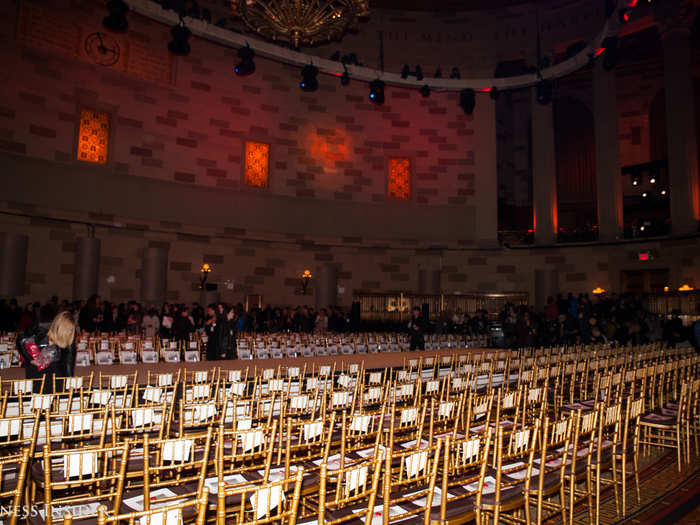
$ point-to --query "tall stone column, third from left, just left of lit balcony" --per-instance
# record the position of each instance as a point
(607, 154)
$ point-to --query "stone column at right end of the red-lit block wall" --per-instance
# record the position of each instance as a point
(486, 176)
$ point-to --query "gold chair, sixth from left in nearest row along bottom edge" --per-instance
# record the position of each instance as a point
(514, 452)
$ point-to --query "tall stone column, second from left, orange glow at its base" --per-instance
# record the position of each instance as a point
(544, 174)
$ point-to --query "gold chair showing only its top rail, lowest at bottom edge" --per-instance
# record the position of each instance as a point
(171, 514)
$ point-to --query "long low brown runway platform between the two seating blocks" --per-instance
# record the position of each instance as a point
(370, 361)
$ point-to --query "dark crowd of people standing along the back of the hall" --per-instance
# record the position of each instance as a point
(565, 320)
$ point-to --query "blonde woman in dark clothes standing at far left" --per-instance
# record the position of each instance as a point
(49, 352)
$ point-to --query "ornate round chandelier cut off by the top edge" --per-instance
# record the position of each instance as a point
(300, 21)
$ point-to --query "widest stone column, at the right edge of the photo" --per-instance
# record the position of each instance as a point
(675, 18)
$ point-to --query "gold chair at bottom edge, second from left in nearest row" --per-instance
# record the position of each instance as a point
(260, 502)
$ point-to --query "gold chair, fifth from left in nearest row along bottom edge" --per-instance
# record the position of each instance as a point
(462, 463)
